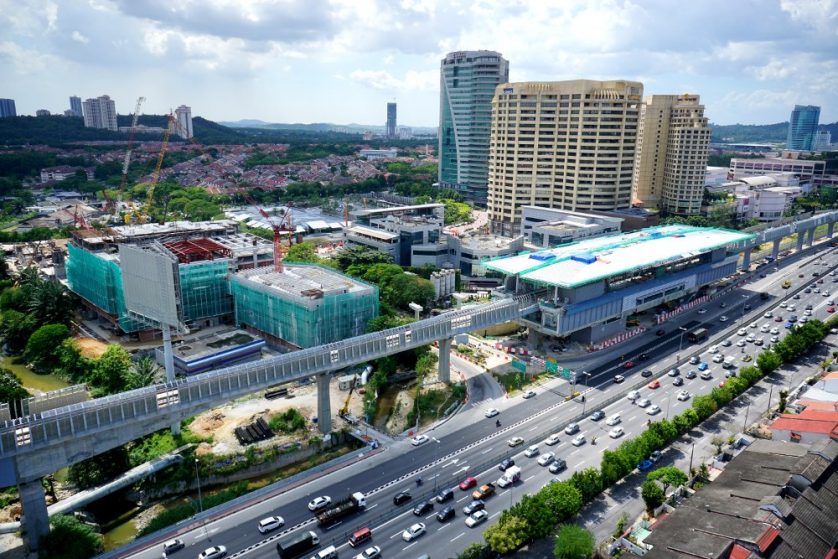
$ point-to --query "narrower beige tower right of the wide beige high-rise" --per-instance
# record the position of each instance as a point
(673, 142)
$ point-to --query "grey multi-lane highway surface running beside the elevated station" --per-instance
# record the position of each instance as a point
(471, 445)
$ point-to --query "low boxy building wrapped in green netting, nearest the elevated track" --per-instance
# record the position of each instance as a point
(307, 316)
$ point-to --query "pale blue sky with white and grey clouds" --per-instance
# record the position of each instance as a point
(341, 61)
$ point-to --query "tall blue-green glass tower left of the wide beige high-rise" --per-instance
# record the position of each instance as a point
(467, 83)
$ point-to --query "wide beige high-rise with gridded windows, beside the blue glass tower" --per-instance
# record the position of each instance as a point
(567, 145)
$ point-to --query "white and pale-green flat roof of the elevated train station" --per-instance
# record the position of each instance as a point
(590, 260)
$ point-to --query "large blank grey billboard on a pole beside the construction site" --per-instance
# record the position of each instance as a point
(148, 279)
